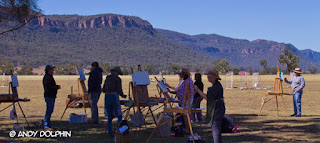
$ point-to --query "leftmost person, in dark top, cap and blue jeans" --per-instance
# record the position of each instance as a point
(50, 94)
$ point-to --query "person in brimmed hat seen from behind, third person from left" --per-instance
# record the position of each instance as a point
(113, 89)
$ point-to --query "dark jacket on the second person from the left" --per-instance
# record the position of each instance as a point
(95, 80)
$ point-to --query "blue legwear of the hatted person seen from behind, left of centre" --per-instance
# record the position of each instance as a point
(112, 106)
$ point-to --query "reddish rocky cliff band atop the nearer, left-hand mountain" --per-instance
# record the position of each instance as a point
(96, 21)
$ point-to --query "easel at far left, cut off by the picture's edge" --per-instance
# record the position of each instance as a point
(14, 98)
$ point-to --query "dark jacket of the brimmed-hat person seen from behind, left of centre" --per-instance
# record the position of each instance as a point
(113, 84)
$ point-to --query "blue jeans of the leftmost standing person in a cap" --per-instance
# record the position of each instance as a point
(50, 105)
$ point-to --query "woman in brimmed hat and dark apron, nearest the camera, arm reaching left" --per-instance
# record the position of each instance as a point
(215, 104)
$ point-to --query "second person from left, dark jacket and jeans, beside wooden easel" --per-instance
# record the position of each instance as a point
(94, 89)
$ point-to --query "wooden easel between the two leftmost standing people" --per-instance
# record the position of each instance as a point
(75, 98)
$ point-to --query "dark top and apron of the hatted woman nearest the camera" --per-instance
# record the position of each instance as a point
(215, 103)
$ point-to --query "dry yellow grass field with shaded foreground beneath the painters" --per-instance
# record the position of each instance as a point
(241, 105)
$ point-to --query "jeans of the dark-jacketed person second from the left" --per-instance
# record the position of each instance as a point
(94, 98)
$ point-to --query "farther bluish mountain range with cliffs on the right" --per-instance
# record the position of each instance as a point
(239, 52)
